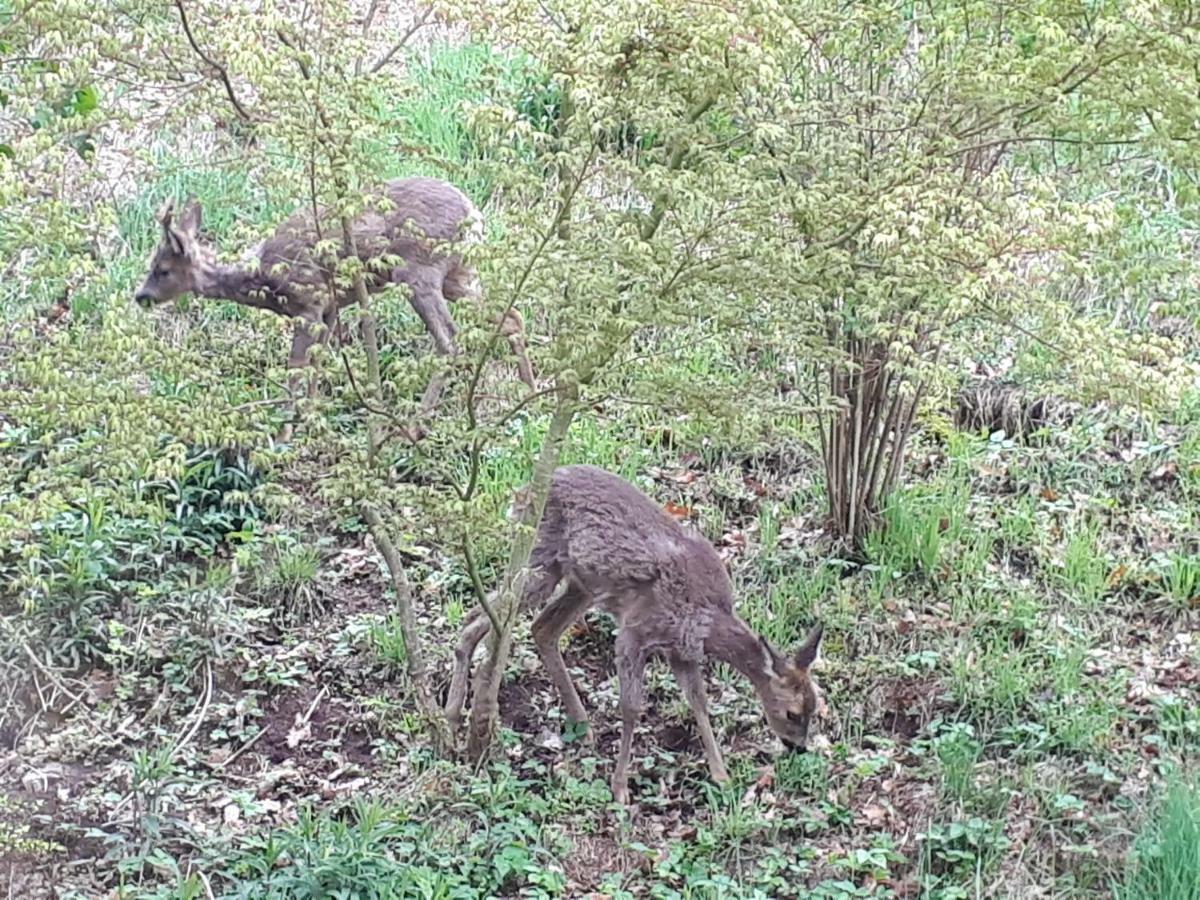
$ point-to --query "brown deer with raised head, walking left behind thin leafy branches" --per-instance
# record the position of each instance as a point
(403, 239)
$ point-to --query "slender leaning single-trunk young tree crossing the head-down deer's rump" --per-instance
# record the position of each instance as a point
(633, 230)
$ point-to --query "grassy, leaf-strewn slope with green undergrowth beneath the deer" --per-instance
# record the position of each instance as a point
(1010, 680)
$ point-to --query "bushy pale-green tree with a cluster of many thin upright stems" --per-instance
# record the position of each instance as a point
(916, 196)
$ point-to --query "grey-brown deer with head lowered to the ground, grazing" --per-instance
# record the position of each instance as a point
(614, 548)
